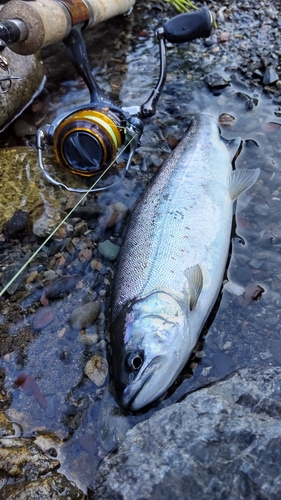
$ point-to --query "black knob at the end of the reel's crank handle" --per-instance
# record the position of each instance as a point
(189, 26)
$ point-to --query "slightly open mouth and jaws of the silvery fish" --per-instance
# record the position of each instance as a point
(132, 390)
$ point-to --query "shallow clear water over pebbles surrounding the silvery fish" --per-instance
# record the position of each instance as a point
(82, 418)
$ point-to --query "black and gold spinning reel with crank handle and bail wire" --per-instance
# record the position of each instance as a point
(87, 139)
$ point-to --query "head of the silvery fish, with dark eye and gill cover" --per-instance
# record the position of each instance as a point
(149, 349)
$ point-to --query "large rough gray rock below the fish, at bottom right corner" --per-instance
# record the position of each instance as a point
(221, 442)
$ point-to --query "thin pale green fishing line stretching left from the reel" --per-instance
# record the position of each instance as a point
(64, 220)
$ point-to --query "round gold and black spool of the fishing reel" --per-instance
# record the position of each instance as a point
(85, 140)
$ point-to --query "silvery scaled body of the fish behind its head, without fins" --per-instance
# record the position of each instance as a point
(183, 219)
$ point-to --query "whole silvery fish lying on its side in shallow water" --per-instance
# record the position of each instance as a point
(172, 262)
